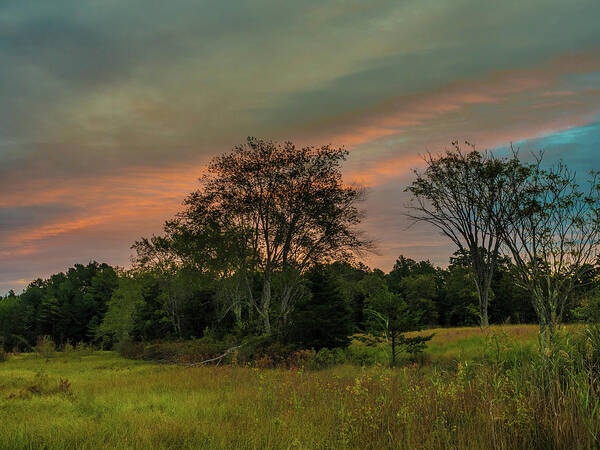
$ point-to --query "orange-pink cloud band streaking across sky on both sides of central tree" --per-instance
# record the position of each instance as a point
(517, 105)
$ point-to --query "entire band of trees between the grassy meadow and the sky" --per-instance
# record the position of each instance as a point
(270, 244)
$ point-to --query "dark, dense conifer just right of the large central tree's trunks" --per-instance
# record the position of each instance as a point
(324, 318)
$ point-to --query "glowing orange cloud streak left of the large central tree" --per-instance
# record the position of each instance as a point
(126, 200)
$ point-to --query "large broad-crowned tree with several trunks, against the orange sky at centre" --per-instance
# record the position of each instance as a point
(267, 208)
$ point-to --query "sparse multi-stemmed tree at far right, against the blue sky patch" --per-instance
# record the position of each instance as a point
(555, 237)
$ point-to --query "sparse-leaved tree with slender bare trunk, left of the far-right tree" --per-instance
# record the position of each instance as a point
(464, 196)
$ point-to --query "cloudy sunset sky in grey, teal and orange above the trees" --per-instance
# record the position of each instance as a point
(110, 110)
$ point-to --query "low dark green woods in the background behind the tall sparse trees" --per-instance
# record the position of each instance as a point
(97, 304)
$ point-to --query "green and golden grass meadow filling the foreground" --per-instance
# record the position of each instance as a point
(476, 390)
